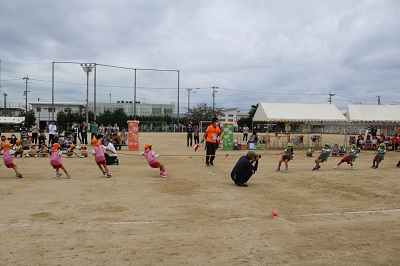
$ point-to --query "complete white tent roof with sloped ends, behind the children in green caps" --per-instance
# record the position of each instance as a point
(297, 112)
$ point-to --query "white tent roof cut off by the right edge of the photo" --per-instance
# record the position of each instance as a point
(373, 113)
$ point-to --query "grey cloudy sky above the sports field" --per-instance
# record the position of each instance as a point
(252, 50)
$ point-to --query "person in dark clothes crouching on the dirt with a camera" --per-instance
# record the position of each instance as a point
(245, 167)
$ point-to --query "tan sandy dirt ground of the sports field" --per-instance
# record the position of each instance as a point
(198, 216)
